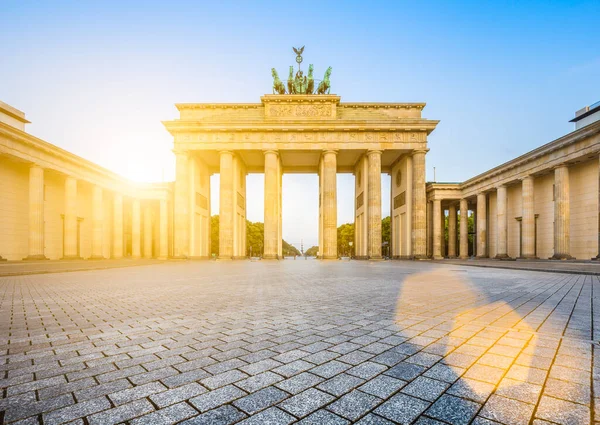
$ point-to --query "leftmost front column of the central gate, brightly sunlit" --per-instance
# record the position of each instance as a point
(182, 206)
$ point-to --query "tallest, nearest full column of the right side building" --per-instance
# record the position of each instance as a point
(562, 214)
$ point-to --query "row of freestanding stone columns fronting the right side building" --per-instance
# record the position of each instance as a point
(528, 231)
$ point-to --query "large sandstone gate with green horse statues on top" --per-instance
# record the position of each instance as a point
(301, 132)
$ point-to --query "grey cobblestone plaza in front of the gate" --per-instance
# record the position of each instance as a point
(298, 341)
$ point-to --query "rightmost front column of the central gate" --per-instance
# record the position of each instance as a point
(419, 206)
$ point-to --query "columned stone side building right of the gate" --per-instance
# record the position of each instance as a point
(543, 204)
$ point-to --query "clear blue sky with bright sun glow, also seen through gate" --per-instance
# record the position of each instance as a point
(97, 78)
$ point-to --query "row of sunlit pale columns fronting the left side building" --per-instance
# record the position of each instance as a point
(71, 243)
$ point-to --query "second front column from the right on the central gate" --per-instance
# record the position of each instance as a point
(374, 204)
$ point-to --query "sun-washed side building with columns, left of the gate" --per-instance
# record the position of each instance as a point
(56, 205)
